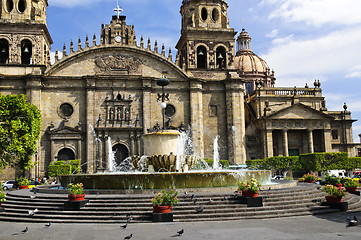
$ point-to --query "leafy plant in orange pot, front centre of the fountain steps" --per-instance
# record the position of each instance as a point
(163, 201)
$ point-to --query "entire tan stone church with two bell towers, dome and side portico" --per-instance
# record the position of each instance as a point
(102, 94)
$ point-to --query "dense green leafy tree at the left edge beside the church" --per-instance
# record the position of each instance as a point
(19, 131)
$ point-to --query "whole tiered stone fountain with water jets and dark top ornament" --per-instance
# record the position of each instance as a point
(160, 168)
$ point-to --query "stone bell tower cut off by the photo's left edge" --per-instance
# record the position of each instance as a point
(24, 36)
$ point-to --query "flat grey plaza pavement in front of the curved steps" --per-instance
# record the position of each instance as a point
(331, 226)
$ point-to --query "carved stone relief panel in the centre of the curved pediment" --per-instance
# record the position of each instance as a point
(118, 65)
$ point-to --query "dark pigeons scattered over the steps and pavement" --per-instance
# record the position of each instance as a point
(351, 222)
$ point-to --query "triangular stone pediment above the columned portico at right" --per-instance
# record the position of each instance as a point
(299, 111)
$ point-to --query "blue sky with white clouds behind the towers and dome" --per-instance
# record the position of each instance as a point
(301, 40)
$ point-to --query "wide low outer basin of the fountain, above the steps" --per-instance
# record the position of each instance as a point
(181, 180)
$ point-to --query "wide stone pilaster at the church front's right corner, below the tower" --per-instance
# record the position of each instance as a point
(235, 122)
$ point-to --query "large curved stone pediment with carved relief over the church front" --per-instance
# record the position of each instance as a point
(115, 60)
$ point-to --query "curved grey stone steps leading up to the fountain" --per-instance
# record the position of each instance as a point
(302, 200)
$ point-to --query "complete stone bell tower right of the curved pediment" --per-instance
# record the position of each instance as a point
(207, 41)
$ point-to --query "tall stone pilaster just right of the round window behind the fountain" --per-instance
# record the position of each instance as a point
(196, 110)
